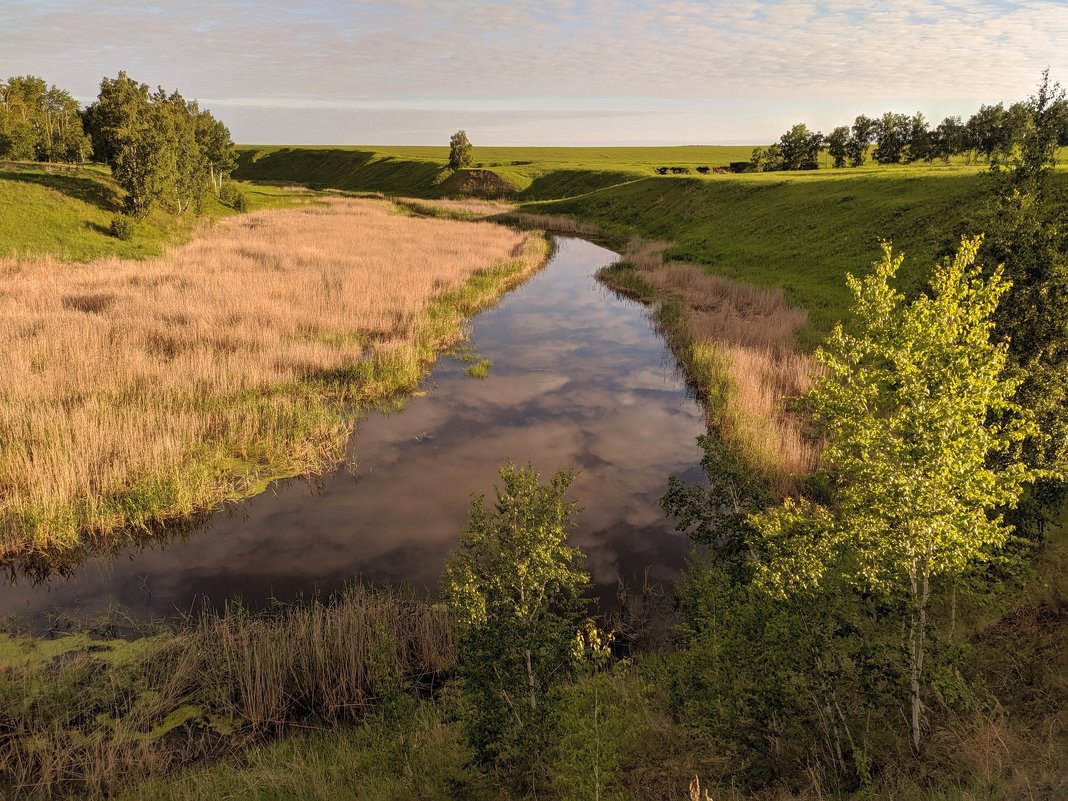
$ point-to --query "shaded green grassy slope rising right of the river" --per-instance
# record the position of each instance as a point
(803, 232)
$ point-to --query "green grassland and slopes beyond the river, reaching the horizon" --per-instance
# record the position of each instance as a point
(803, 231)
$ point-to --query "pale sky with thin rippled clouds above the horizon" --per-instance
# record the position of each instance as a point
(545, 72)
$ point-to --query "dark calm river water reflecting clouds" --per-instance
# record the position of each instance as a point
(579, 378)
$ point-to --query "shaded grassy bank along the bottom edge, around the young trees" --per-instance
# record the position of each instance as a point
(624, 727)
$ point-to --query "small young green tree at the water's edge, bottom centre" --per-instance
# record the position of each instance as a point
(514, 593)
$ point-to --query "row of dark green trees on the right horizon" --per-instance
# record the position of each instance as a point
(993, 134)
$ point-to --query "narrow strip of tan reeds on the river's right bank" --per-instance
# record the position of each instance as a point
(743, 336)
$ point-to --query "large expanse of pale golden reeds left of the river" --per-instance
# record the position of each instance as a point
(139, 391)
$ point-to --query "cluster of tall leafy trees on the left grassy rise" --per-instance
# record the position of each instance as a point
(162, 149)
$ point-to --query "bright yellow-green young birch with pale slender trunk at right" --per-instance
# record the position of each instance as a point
(920, 425)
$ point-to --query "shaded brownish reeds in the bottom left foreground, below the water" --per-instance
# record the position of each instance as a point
(92, 723)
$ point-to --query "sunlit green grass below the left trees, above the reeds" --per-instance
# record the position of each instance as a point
(66, 212)
